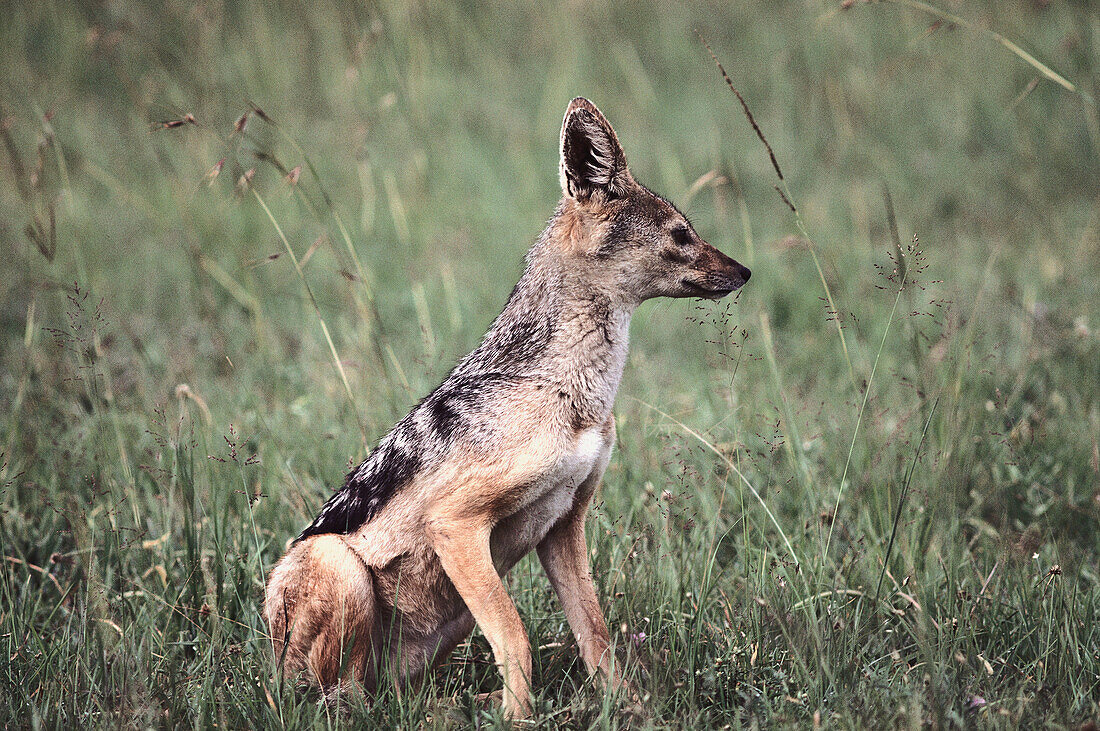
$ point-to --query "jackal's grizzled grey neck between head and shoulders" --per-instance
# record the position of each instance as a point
(562, 326)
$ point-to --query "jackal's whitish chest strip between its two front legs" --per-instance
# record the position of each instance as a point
(551, 497)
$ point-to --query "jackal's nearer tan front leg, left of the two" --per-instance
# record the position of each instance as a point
(464, 550)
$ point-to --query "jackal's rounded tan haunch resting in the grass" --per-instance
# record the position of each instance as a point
(321, 612)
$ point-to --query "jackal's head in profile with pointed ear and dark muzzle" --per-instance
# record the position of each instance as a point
(628, 237)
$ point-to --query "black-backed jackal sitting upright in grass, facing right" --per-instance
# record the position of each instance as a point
(503, 458)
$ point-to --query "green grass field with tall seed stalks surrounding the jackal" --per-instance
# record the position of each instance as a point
(865, 494)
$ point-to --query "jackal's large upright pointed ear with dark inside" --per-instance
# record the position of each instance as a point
(592, 158)
